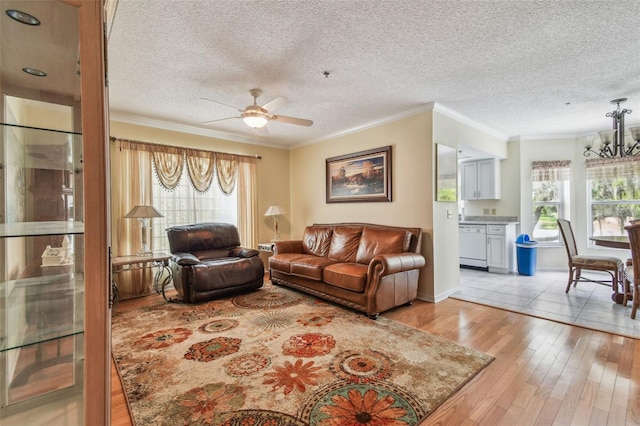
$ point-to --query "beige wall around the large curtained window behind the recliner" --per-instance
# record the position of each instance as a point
(273, 168)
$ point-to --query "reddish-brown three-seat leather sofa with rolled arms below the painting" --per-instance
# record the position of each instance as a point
(369, 268)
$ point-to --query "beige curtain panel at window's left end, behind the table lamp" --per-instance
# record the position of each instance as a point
(134, 188)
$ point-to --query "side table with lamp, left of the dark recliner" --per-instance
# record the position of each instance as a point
(134, 263)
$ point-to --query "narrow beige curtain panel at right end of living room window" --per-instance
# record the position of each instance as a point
(248, 203)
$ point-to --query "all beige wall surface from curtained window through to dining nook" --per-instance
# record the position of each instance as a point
(296, 180)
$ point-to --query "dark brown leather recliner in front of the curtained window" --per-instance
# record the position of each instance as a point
(208, 262)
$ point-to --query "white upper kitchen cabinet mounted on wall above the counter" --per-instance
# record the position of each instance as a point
(480, 179)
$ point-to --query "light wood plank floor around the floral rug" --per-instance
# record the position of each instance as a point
(545, 373)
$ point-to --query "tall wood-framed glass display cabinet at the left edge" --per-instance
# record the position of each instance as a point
(53, 120)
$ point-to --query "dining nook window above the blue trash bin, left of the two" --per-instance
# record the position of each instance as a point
(550, 192)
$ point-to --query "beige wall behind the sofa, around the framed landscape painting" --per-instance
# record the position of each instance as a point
(412, 189)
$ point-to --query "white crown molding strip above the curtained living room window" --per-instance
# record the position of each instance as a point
(184, 128)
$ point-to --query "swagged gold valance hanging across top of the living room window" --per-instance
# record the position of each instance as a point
(169, 162)
